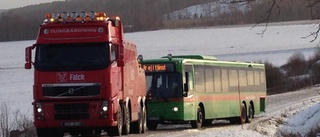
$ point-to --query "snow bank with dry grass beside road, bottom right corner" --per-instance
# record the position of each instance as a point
(293, 119)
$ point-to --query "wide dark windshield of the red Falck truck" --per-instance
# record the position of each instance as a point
(72, 57)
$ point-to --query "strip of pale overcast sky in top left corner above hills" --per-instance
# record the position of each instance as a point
(9, 4)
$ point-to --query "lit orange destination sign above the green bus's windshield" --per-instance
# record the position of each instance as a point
(158, 67)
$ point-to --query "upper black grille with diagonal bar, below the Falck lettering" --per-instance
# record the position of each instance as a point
(71, 90)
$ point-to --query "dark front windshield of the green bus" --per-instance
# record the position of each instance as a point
(164, 85)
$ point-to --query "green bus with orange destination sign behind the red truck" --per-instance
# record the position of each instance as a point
(198, 89)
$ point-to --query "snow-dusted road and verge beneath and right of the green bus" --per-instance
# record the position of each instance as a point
(279, 108)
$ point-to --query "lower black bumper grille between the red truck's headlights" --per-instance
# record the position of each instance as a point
(71, 111)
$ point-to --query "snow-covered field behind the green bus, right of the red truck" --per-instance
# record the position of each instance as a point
(234, 43)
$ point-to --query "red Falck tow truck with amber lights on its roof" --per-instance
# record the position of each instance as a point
(87, 78)
